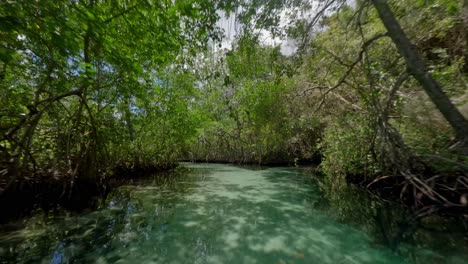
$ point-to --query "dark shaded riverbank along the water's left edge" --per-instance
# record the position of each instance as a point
(48, 192)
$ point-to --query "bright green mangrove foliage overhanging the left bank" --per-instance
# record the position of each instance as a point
(88, 85)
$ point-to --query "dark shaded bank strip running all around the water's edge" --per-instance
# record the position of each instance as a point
(48, 193)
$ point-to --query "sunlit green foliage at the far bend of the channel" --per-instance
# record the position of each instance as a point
(248, 111)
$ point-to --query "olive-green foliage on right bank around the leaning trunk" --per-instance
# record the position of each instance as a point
(359, 142)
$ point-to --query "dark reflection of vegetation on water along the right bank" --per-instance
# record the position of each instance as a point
(430, 240)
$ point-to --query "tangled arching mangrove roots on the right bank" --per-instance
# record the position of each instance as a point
(416, 182)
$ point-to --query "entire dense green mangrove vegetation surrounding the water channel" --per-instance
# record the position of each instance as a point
(374, 90)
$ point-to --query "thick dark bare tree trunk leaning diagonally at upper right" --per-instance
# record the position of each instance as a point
(420, 72)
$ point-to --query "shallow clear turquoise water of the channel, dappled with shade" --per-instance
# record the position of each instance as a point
(226, 214)
